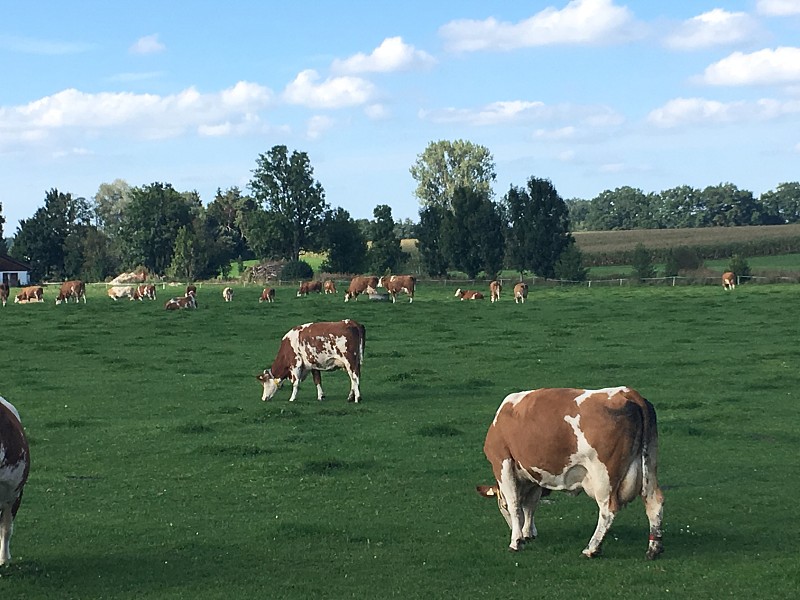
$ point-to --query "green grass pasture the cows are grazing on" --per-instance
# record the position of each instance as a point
(158, 472)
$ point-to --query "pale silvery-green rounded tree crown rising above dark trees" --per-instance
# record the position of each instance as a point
(445, 166)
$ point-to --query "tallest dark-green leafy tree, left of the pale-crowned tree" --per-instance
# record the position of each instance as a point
(294, 201)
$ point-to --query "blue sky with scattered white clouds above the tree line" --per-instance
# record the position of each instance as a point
(592, 94)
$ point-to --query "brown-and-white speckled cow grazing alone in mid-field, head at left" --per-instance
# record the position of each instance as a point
(316, 347)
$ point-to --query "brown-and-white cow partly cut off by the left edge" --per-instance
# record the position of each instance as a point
(15, 464)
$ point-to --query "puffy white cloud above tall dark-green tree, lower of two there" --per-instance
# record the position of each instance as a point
(334, 92)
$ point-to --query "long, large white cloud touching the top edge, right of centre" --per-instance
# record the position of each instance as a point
(580, 22)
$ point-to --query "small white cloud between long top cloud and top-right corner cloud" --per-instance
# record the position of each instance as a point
(713, 28)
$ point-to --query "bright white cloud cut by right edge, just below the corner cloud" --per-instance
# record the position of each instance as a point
(764, 67)
